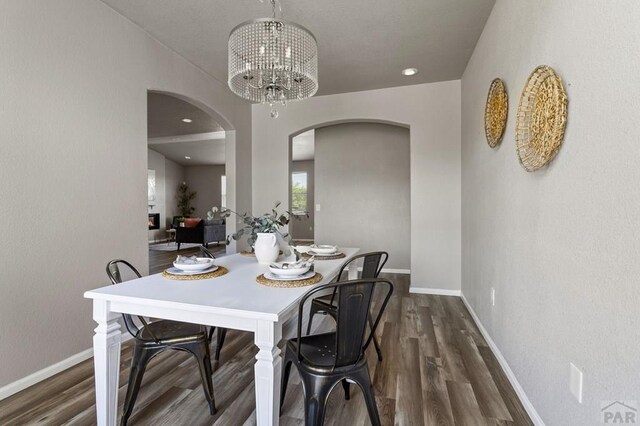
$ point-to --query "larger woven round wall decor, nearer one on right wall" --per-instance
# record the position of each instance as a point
(541, 119)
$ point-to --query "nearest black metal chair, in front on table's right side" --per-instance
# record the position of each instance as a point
(324, 360)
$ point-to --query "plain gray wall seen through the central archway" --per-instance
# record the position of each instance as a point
(362, 186)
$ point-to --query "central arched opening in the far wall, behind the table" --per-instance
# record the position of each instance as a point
(353, 177)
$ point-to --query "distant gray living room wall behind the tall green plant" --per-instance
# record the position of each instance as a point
(205, 180)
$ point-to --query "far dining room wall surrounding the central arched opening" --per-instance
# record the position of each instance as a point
(433, 113)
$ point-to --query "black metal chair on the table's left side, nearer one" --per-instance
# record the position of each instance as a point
(151, 338)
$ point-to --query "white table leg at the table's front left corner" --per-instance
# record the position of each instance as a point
(106, 360)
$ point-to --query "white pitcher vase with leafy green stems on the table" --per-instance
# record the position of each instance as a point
(263, 231)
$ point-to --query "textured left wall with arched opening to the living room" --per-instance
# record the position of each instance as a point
(73, 164)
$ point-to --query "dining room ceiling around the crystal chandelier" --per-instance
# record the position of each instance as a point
(362, 44)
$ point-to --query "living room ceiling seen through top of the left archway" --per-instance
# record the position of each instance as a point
(202, 140)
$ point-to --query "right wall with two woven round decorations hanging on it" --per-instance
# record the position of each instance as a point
(561, 246)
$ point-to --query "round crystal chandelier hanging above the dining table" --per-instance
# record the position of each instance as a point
(272, 61)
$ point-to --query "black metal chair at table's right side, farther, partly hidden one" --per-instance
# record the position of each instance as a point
(372, 264)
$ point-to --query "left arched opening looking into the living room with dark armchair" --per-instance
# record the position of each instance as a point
(187, 154)
